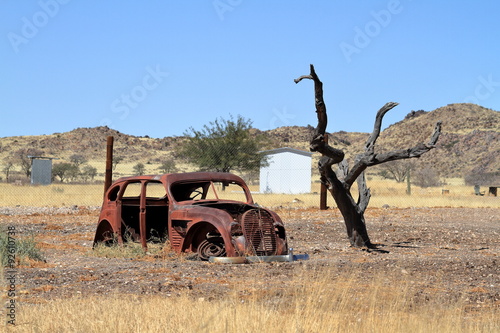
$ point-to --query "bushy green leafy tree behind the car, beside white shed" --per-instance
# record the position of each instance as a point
(224, 146)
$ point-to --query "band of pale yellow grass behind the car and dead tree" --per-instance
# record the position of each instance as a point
(384, 192)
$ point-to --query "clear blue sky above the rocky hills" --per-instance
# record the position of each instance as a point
(158, 67)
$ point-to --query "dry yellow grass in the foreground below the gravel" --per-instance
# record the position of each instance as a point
(318, 301)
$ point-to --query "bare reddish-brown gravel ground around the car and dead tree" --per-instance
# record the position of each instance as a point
(451, 251)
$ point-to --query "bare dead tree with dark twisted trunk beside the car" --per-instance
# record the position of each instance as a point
(340, 187)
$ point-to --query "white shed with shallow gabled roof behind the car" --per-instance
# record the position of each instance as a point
(289, 171)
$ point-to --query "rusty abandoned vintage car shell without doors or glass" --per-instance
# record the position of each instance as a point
(208, 213)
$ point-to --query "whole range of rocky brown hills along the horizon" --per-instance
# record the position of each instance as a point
(470, 141)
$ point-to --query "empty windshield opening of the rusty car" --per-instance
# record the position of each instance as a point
(208, 190)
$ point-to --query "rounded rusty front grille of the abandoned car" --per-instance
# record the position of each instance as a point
(258, 229)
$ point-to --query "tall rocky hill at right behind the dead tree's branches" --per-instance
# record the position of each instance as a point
(470, 140)
